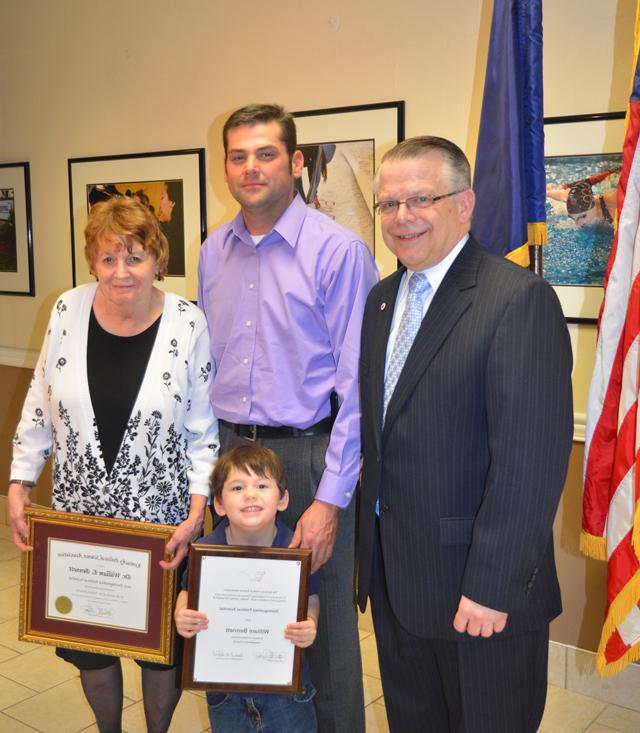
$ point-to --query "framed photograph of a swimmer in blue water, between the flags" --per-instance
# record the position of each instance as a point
(583, 157)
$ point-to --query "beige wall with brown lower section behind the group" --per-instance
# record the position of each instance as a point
(84, 79)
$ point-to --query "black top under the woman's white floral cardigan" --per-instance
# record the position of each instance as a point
(115, 370)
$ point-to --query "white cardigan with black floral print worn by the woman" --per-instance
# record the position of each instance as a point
(171, 440)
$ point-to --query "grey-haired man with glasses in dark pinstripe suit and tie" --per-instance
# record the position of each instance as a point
(465, 457)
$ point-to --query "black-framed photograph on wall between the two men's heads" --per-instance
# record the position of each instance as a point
(342, 147)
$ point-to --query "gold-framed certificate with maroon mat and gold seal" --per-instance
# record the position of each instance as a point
(95, 584)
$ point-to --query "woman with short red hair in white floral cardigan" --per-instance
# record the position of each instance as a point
(119, 397)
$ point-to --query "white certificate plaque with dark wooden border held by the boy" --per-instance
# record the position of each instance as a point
(249, 595)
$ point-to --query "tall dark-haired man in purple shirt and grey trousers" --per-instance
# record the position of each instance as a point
(283, 287)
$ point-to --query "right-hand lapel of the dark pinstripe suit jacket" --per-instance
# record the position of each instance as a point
(451, 300)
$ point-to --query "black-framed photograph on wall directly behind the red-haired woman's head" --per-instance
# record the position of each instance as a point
(171, 183)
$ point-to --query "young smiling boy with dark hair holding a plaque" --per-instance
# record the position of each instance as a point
(249, 487)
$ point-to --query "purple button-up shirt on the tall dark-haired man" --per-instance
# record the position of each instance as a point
(284, 318)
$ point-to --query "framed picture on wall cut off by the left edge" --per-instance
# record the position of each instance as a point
(16, 243)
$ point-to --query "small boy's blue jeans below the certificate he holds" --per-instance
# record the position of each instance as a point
(237, 713)
